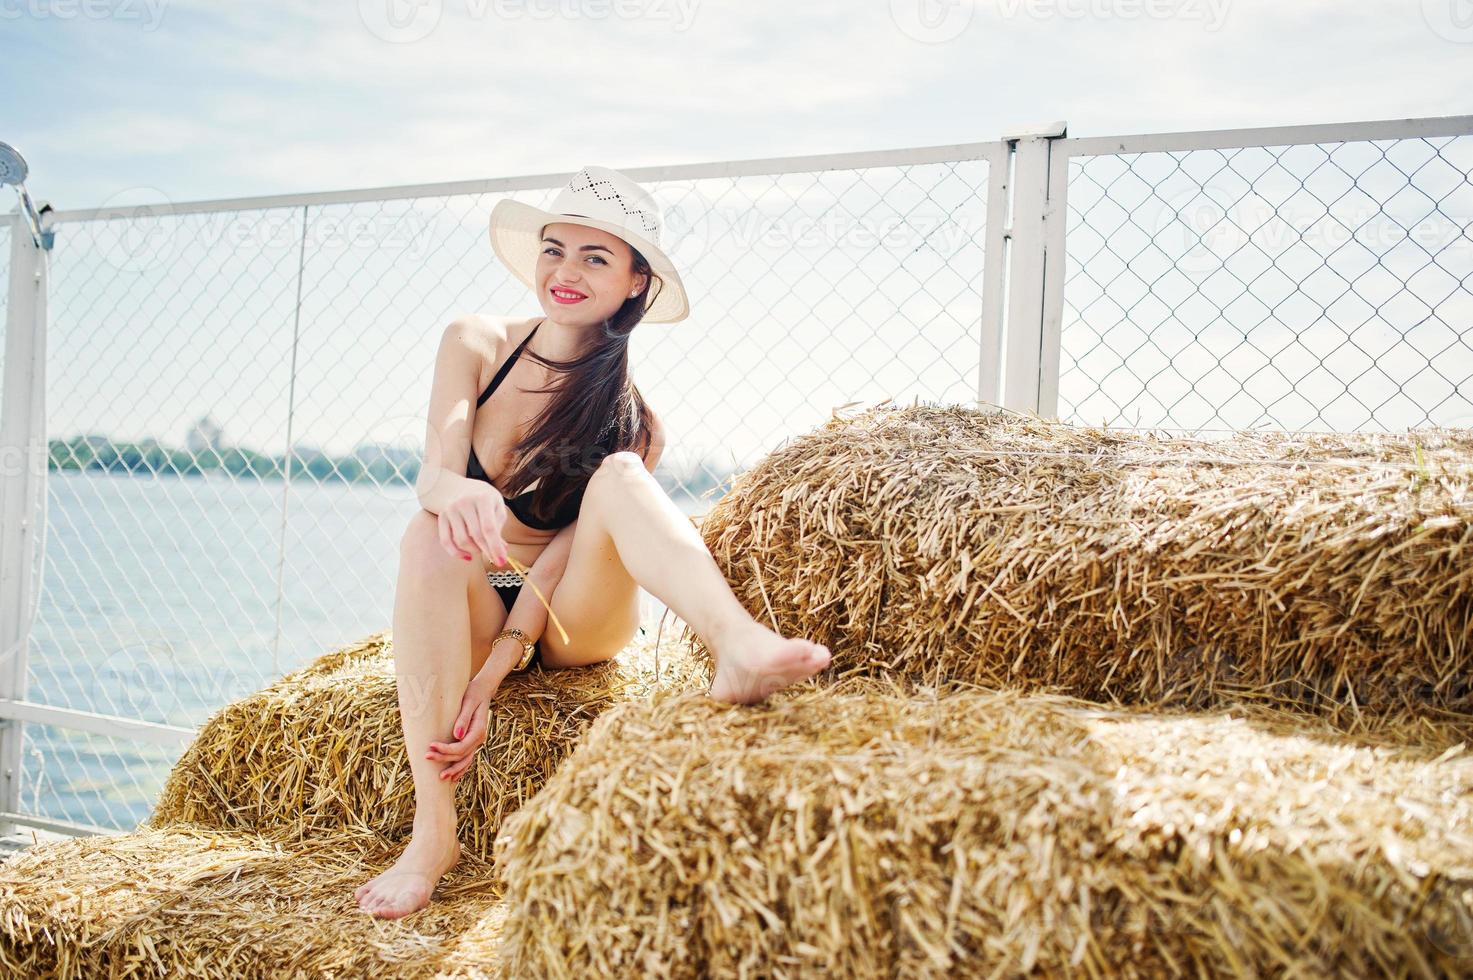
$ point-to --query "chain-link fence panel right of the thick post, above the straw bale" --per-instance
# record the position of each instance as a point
(1312, 287)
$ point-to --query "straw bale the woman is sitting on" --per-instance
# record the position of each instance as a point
(322, 751)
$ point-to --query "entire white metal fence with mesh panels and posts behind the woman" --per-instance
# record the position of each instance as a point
(307, 323)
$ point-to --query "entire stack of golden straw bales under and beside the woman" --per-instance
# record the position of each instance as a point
(1103, 704)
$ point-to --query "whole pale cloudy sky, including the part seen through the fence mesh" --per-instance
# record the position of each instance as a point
(138, 102)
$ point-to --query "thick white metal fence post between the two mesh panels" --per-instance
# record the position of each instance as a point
(1029, 234)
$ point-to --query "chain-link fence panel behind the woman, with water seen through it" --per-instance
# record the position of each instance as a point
(238, 391)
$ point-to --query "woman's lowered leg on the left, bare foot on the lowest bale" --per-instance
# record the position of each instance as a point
(444, 618)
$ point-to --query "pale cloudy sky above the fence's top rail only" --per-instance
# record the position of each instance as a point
(198, 101)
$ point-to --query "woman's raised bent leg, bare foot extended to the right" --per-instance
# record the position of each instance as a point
(630, 533)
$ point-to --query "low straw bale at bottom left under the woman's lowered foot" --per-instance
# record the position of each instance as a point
(192, 901)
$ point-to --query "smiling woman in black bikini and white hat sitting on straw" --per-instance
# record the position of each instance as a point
(596, 530)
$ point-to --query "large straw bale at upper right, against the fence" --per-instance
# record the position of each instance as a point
(1331, 574)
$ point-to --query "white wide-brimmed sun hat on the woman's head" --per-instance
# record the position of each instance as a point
(597, 198)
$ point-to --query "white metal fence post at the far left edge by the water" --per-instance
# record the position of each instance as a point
(23, 487)
